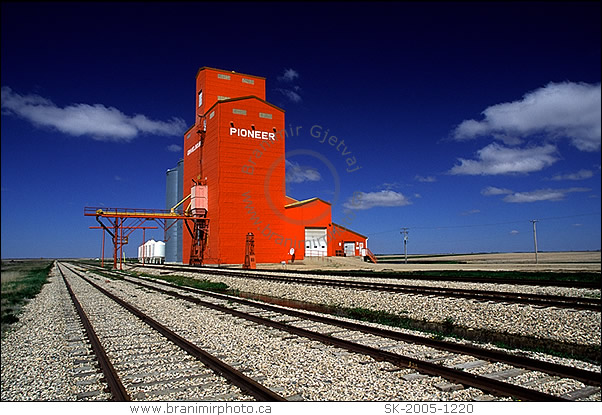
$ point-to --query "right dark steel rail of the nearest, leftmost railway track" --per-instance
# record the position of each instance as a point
(239, 379)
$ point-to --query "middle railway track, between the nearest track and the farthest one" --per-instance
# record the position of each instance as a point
(374, 342)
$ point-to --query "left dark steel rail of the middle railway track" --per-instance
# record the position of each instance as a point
(454, 375)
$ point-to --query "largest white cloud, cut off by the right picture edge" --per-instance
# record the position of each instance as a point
(567, 109)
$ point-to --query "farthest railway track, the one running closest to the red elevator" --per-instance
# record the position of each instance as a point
(543, 300)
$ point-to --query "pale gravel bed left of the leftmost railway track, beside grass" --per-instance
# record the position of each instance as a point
(38, 363)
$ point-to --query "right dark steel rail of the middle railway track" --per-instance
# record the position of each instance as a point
(585, 376)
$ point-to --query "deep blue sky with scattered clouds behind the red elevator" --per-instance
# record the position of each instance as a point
(468, 120)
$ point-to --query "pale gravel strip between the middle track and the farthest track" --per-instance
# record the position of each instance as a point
(572, 326)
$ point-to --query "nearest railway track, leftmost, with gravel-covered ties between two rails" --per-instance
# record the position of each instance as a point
(149, 360)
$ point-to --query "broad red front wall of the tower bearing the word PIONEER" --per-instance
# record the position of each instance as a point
(251, 182)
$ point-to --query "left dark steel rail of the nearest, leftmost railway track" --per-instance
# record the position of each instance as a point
(112, 378)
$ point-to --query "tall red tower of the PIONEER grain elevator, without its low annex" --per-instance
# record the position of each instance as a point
(233, 148)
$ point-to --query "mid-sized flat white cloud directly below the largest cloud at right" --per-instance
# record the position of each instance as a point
(496, 159)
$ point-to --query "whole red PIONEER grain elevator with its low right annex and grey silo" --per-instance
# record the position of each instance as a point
(235, 153)
